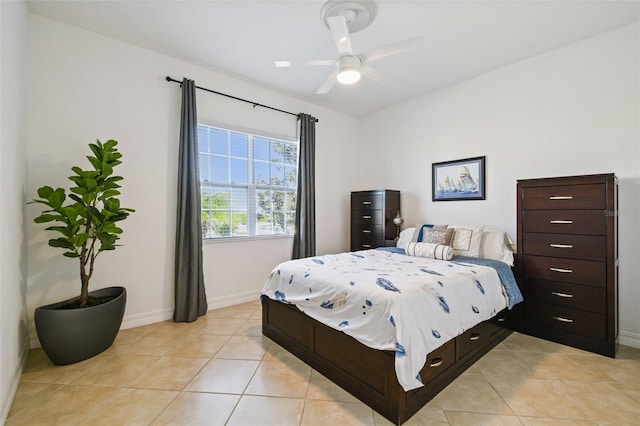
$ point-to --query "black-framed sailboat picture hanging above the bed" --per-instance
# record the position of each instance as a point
(458, 180)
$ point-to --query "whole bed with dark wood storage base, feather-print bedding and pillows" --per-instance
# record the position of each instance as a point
(390, 328)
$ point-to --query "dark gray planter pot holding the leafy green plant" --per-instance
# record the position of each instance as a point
(72, 335)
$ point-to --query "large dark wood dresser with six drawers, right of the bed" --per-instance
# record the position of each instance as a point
(567, 260)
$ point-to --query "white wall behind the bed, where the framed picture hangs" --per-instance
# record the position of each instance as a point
(571, 111)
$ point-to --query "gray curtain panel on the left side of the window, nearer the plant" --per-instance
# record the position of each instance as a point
(190, 297)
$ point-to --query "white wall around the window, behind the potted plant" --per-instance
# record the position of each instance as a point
(83, 86)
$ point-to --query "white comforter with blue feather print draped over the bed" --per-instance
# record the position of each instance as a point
(390, 301)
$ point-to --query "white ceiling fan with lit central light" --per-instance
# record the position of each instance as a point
(344, 17)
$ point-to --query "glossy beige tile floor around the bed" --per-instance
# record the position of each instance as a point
(220, 370)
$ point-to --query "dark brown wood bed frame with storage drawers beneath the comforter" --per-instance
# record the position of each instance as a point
(369, 374)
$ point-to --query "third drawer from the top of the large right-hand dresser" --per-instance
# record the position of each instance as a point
(588, 247)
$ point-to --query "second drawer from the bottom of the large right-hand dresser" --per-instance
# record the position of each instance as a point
(586, 298)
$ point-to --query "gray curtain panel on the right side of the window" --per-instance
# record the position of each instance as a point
(304, 240)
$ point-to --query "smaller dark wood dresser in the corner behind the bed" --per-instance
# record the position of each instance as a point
(372, 214)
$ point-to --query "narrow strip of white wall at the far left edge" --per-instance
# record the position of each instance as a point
(13, 331)
